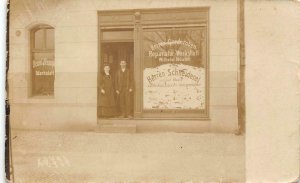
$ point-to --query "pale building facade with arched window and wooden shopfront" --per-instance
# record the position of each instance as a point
(183, 60)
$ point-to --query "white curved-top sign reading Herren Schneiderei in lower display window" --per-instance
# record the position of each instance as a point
(174, 86)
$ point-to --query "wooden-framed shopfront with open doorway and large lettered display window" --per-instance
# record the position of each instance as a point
(166, 52)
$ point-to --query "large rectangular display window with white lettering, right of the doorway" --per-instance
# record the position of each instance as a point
(174, 75)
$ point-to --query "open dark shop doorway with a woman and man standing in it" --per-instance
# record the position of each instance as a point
(115, 79)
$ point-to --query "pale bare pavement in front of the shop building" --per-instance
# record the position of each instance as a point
(91, 157)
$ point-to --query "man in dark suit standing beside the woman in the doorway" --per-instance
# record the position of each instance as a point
(124, 89)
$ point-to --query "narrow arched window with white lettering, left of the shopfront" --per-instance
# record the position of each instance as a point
(42, 61)
